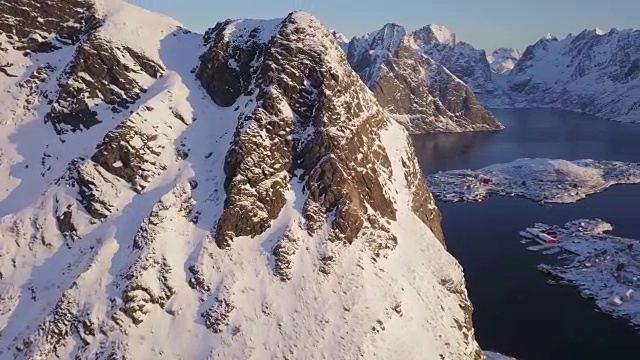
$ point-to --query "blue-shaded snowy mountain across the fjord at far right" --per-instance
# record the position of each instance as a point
(596, 72)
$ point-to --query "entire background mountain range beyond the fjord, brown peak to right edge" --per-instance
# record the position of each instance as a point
(595, 72)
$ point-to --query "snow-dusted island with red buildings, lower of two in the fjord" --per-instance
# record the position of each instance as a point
(604, 267)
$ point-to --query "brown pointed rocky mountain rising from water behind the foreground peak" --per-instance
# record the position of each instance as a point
(416, 89)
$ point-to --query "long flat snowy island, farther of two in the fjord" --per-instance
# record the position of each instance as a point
(543, 180)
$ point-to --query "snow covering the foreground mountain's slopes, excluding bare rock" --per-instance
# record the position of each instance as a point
(56, 285)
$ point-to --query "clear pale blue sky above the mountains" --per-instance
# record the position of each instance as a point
(484, 23)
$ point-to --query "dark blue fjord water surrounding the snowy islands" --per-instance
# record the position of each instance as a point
(516, 312)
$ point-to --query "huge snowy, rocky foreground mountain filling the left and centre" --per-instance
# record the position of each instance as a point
(242, 194)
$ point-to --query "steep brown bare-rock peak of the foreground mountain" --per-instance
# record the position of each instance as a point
(311, 89)
